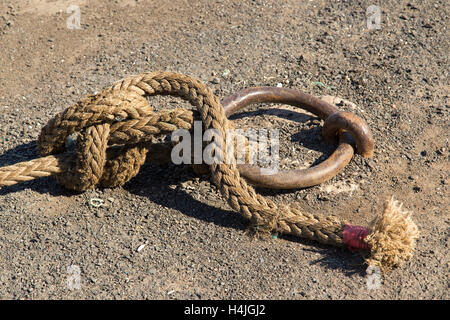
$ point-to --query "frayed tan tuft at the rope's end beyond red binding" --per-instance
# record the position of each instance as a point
(393, 236)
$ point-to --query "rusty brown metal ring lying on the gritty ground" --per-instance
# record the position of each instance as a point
(338, 123)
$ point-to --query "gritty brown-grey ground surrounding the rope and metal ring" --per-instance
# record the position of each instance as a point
(196, 247)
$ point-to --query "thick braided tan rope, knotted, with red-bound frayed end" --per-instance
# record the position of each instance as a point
(121, 115)
